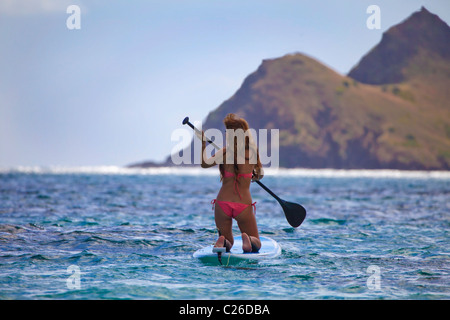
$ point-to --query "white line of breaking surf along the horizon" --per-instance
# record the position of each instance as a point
(281, 172)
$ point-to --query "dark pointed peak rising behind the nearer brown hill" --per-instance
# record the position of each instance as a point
(406, 50)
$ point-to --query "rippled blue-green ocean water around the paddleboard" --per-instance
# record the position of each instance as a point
(112, 233)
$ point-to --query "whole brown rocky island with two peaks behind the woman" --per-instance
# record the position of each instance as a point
(390, 111)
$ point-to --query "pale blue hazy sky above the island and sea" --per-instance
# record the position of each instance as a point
(112, 92)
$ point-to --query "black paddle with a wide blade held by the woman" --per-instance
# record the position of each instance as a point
(294, 212)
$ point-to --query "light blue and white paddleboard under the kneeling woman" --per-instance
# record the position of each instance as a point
(269, 249)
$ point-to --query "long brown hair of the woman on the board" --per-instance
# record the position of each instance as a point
(232, 121)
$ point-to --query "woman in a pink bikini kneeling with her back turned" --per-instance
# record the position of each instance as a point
(239, 163)
